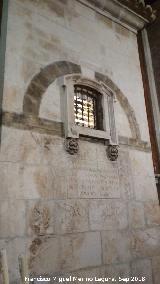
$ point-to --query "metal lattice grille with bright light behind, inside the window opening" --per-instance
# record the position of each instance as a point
(85, 106)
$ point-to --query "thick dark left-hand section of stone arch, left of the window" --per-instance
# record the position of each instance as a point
(41, 82)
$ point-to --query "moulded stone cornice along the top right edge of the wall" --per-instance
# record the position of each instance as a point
(133, 14)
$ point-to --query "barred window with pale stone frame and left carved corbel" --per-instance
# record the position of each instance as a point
(88, 109)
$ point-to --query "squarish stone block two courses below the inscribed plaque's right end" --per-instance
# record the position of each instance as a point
(116, 247)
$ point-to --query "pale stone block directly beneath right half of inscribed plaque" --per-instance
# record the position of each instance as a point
(107, 215)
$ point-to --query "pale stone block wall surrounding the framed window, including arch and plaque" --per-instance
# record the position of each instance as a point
(77, 215)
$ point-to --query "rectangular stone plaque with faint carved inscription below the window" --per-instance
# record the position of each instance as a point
(93, 183)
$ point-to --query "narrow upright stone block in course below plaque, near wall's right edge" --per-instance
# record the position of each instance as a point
(136, 215)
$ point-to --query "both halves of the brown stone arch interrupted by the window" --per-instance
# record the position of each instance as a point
(47, 76)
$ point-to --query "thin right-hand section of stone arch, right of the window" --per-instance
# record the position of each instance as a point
(124, 104)
